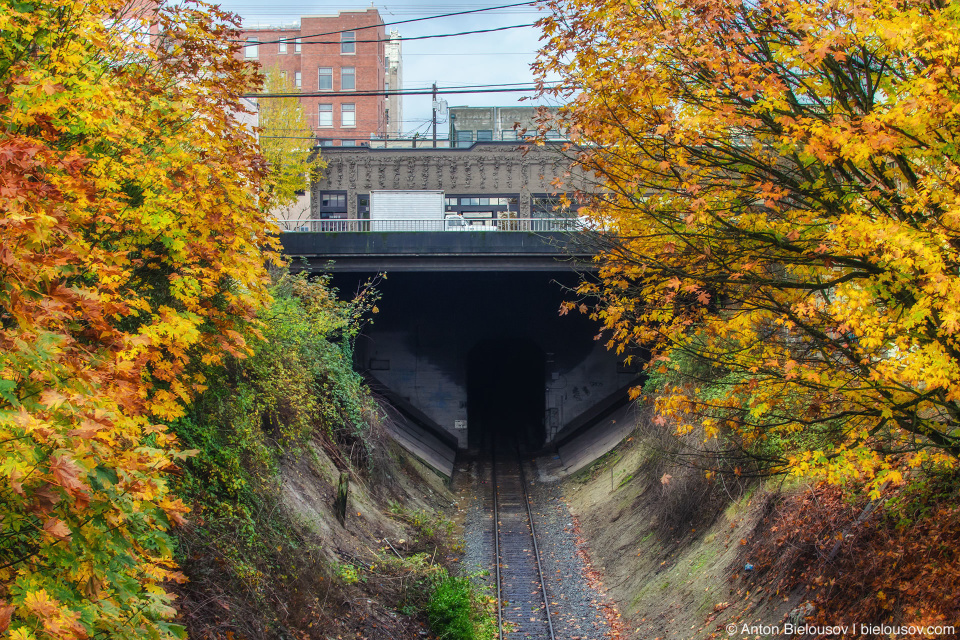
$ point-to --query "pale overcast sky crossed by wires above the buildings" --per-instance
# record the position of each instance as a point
(479, 59)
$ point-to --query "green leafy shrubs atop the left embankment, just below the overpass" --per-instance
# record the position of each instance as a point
(298, 382)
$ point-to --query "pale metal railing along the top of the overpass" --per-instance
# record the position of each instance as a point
(450, 224)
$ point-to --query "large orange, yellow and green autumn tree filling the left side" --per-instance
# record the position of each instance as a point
(132, 247)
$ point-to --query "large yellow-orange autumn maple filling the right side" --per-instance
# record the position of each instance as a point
(778, 200)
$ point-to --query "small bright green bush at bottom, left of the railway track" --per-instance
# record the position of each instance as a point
(457, 611)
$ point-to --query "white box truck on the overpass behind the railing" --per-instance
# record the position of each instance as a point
(409, 211)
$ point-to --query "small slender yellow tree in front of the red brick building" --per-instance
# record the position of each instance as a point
(288, 147)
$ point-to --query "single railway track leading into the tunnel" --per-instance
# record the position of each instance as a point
(522, 603)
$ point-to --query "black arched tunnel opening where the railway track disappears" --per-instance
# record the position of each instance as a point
(506, 394)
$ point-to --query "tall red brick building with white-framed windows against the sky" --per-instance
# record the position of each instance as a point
(341, 55)
